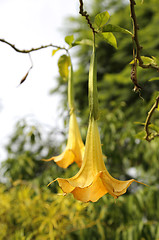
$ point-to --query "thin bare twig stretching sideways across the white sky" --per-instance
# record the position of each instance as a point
(32, 49)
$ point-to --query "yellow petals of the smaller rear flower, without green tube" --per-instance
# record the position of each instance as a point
(74, 149)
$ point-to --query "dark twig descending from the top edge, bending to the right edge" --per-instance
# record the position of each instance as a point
(136, 39)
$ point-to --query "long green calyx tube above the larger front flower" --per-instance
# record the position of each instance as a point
(92, 85)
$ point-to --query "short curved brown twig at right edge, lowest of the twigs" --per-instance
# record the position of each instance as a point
(149, 136)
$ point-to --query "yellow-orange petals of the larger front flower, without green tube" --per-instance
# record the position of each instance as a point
(93, 180)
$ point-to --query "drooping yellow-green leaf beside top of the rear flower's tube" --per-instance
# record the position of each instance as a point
(63, 65)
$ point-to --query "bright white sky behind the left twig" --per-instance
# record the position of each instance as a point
(27, 24)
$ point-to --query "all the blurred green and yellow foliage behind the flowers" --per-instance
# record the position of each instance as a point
(29, 209)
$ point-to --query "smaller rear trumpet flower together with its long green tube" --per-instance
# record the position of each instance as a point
(75, 147)
